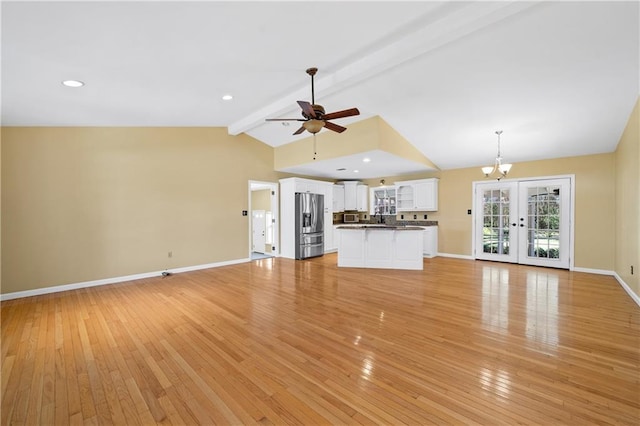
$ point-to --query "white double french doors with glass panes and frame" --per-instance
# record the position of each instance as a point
(527, 221)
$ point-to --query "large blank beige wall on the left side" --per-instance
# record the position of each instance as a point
(83, 204)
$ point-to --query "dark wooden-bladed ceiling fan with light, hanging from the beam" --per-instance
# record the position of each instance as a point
(314, 116)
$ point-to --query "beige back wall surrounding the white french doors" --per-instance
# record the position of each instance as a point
(595, 205)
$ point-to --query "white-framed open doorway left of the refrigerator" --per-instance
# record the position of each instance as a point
(263, 226)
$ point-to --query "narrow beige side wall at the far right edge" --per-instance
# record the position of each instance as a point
(627, 177)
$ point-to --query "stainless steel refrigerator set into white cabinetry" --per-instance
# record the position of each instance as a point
(309, 225)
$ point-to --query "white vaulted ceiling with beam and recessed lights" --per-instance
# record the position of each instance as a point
(559, 78)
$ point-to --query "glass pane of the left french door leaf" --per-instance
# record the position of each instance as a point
(495, 232)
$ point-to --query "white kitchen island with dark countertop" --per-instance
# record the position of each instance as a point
(381, 246)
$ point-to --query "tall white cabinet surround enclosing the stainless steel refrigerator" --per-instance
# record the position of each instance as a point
(288, 189)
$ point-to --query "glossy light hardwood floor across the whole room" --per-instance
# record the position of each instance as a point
(278, 341)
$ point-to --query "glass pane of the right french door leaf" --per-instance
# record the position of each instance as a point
(543, 222)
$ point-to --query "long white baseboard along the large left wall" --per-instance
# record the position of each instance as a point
(115, 280)
